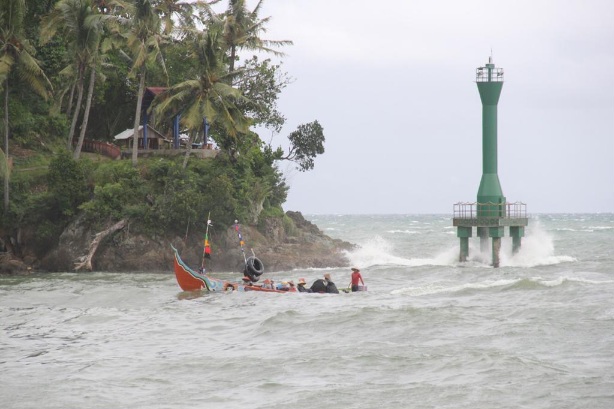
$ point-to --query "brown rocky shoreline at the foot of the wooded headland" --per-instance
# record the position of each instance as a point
(304, 246)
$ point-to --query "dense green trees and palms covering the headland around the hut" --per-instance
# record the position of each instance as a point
(94, 58)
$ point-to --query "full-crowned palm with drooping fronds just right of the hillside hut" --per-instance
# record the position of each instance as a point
(206, 95)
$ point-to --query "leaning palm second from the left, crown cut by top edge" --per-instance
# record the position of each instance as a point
(82, 24)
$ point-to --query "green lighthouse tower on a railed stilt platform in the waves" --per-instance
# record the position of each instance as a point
(491, 213)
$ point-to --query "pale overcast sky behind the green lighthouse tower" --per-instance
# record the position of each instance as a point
(392, 82)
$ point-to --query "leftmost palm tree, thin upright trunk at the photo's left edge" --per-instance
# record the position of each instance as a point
(16, 57)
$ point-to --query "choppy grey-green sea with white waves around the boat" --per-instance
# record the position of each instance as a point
(430, 332)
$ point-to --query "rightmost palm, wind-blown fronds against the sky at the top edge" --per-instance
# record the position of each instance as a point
(242, 29)
